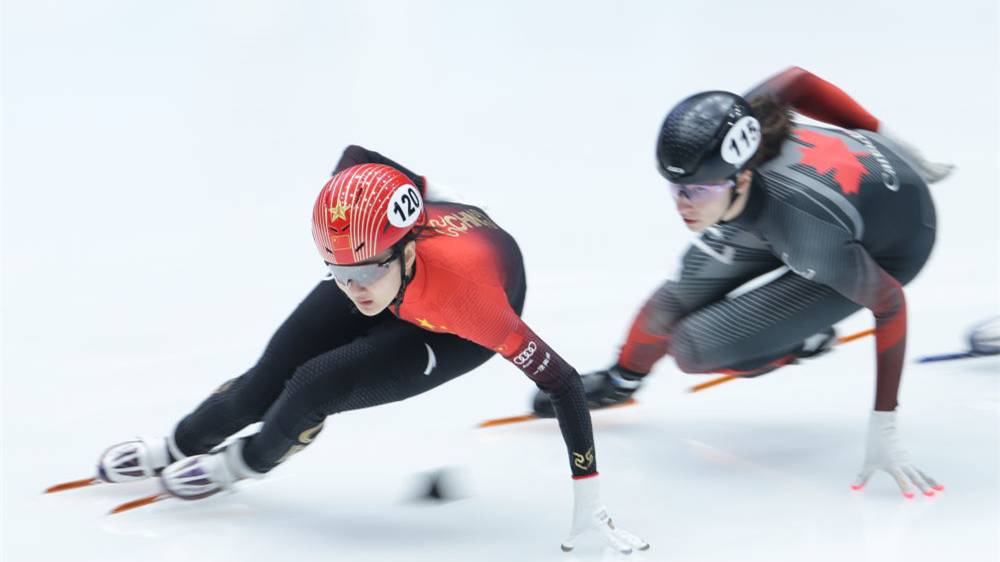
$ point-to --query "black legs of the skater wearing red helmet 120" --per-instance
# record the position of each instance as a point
(326, 358)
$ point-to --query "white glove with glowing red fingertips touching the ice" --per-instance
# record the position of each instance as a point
(884, 452)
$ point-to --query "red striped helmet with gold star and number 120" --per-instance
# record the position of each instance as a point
(362, 211)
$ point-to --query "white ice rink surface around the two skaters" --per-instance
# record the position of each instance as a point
(159, 168)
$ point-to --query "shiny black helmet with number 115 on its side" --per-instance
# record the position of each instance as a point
(706, 138)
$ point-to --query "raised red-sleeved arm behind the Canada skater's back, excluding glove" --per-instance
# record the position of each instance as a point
(814, 97)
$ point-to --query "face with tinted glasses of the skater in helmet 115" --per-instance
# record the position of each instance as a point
(701, 206)
